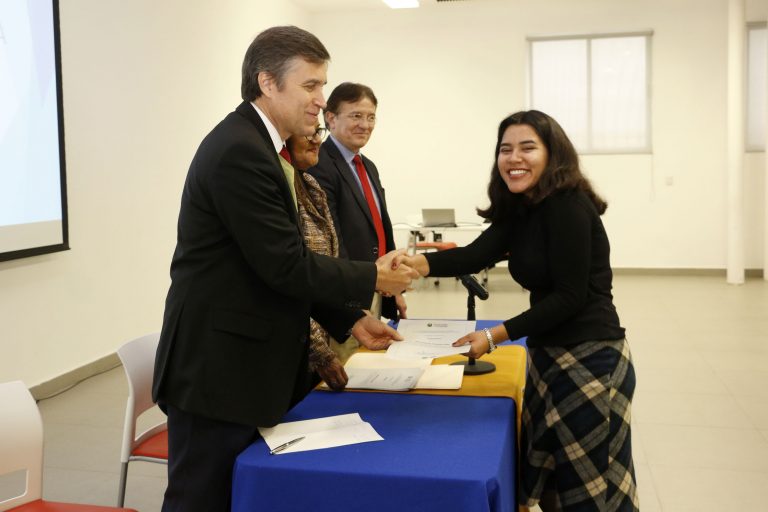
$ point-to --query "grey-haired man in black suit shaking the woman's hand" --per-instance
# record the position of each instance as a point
(233, 347)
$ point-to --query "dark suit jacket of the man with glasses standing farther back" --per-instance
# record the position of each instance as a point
(351, 216)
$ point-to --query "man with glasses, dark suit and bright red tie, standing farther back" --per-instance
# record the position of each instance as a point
(351, 182)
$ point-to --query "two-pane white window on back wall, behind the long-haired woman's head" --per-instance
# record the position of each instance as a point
(597, 87)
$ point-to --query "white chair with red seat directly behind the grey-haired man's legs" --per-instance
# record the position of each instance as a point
(138, 357)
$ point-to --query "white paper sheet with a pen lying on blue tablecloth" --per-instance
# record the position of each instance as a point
(320, 433)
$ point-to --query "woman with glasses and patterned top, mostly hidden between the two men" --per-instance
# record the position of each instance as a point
(320, 237)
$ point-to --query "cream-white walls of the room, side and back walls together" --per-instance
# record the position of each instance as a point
(145, 80)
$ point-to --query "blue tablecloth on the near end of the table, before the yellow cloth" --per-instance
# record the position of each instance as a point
(442, 454)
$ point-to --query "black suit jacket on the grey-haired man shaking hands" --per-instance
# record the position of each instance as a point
(234, 339)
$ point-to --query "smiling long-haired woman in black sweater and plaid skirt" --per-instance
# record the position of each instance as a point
(576, 452)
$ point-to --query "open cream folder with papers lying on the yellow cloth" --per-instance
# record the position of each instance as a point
(377, 371)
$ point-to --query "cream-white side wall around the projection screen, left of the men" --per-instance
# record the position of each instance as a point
(144, 80)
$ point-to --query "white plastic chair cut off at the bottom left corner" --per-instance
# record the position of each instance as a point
(21, 449)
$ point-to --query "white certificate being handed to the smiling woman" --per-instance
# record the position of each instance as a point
(429, 338)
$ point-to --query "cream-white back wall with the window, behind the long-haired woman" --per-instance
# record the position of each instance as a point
(445, 75)
